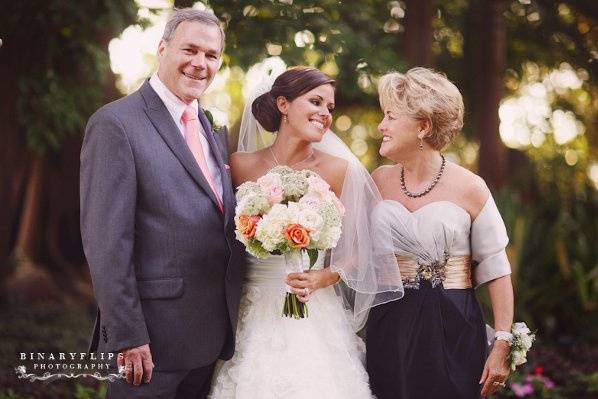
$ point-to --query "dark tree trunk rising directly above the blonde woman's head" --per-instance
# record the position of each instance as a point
(418, 32)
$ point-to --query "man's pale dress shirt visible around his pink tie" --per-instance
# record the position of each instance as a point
(176, 107)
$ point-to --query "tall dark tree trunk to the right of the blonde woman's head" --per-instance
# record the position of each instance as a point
(489, 58)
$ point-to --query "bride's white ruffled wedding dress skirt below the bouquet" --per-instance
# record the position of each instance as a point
(278, 357)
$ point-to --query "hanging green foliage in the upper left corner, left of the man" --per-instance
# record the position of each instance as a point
(63, 62)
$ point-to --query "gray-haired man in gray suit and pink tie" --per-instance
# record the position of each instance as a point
(157, 209)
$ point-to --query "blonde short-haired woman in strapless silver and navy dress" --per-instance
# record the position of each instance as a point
(448, 237)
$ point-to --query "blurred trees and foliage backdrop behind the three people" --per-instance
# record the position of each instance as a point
(527, 70)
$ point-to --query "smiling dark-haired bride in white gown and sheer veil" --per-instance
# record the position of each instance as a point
(319, 356)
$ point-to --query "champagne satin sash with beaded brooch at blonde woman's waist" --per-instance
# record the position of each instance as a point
(454, 273)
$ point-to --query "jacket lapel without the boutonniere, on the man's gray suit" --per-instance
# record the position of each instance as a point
(162, 120)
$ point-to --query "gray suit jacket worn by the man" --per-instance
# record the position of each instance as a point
(165, 265)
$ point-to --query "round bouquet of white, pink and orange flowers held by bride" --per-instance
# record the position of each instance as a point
(291, 213)
